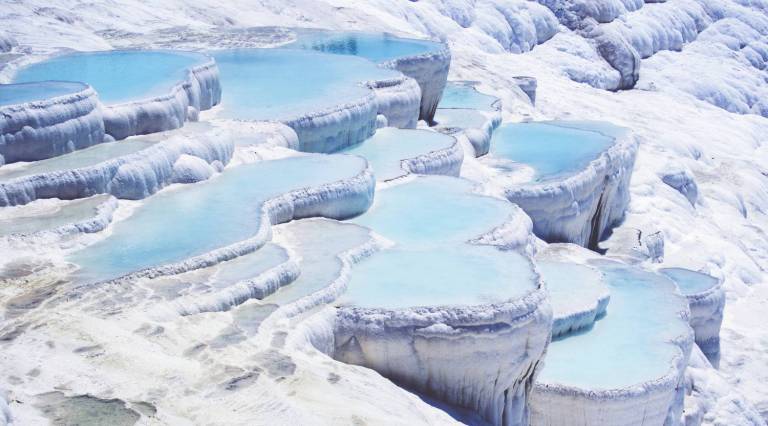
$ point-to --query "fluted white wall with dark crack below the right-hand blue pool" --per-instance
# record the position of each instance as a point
(582, 207)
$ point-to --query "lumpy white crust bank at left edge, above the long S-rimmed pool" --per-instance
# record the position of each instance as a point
(134, 176)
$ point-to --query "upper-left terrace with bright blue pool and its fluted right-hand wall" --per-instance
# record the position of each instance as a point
(141, 91)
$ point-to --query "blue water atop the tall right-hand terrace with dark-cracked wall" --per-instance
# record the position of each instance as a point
(553, 150)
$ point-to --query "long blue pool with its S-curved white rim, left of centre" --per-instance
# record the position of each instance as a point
(225, 217)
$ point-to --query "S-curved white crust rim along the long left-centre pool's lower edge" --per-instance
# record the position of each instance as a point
(341, 199)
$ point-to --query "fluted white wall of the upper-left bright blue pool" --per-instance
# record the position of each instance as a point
(200, 91)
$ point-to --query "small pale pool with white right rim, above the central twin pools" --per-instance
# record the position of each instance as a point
(394, 153)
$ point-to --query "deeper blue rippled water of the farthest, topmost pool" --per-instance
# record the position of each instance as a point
(377, 47)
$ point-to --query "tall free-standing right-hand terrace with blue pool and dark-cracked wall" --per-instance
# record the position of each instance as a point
(579, 185)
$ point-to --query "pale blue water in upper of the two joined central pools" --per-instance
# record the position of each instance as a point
(433, 211)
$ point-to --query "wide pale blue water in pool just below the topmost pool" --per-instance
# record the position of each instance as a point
(274, 84)
